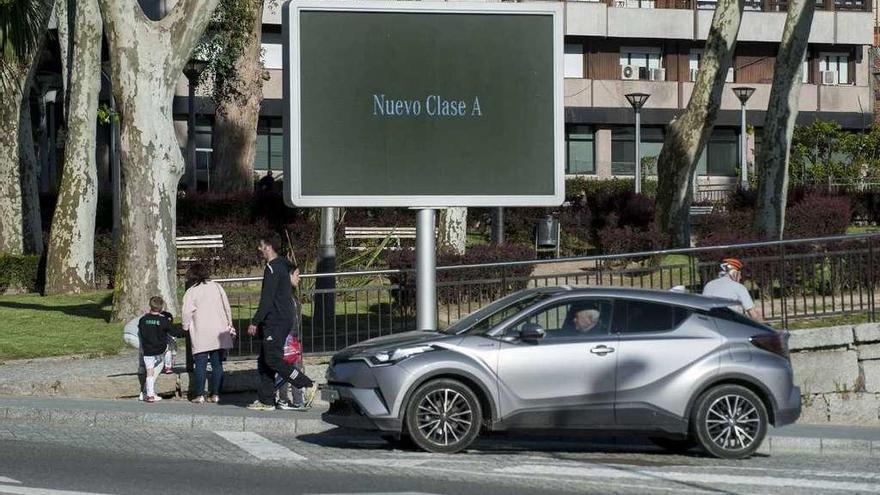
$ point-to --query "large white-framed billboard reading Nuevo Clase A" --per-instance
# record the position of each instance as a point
(423, 104)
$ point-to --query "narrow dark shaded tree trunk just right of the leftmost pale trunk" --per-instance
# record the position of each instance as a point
(32, 224)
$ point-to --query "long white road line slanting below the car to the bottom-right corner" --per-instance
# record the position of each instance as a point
(709, 479)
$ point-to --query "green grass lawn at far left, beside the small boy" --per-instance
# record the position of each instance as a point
(36, 326)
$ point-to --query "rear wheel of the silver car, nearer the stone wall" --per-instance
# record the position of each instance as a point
(730, 422)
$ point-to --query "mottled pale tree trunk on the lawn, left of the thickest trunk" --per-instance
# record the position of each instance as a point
(70, 265)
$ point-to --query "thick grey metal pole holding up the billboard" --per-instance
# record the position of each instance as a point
(426, 271)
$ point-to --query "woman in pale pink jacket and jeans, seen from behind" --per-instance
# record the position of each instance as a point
(208, 319)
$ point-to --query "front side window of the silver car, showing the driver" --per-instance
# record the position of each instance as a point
(571, 318)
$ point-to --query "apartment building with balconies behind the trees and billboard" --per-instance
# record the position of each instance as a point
(615, 47)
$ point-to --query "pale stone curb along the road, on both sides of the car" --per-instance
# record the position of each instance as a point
(305, 426)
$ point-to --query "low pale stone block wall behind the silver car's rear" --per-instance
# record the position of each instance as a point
(838, 370)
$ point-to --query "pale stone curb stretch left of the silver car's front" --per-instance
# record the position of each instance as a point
(292, 425)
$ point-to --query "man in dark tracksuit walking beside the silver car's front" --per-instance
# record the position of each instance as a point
(273, 320)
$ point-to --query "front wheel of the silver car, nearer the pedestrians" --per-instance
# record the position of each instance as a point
(443, 416)
